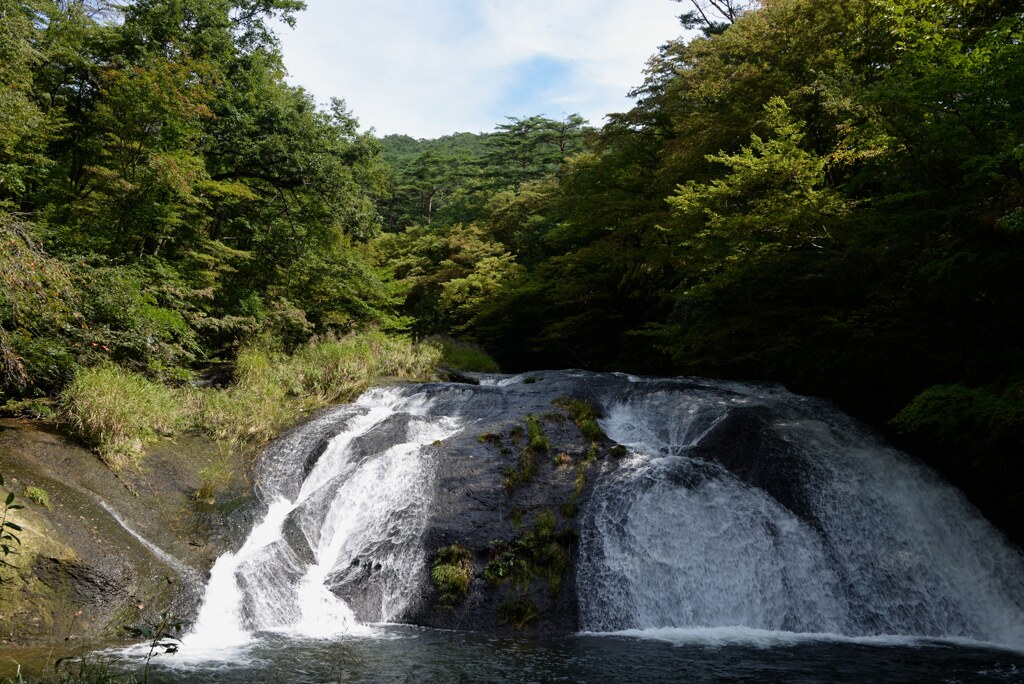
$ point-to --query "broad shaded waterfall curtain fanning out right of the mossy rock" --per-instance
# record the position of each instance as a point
(749, 507)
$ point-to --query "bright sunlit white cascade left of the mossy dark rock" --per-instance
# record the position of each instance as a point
(354, 498)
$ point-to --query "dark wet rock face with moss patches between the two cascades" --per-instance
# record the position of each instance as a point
(479, 504)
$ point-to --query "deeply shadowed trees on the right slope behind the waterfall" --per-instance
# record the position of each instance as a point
(826, 195)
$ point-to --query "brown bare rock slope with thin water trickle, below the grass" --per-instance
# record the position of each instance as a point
(81, 574)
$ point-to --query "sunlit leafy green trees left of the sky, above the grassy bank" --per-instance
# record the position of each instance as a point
(165, 195)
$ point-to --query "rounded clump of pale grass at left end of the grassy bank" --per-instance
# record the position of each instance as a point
(118, 412)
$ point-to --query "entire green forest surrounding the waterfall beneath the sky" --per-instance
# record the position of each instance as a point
(829, 196)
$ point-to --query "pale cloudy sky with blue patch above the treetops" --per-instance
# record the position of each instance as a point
(428, 68)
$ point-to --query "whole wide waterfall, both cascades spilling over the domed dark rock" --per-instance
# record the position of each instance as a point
(740, 507)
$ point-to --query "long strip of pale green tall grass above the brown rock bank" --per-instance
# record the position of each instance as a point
(119, 413)
